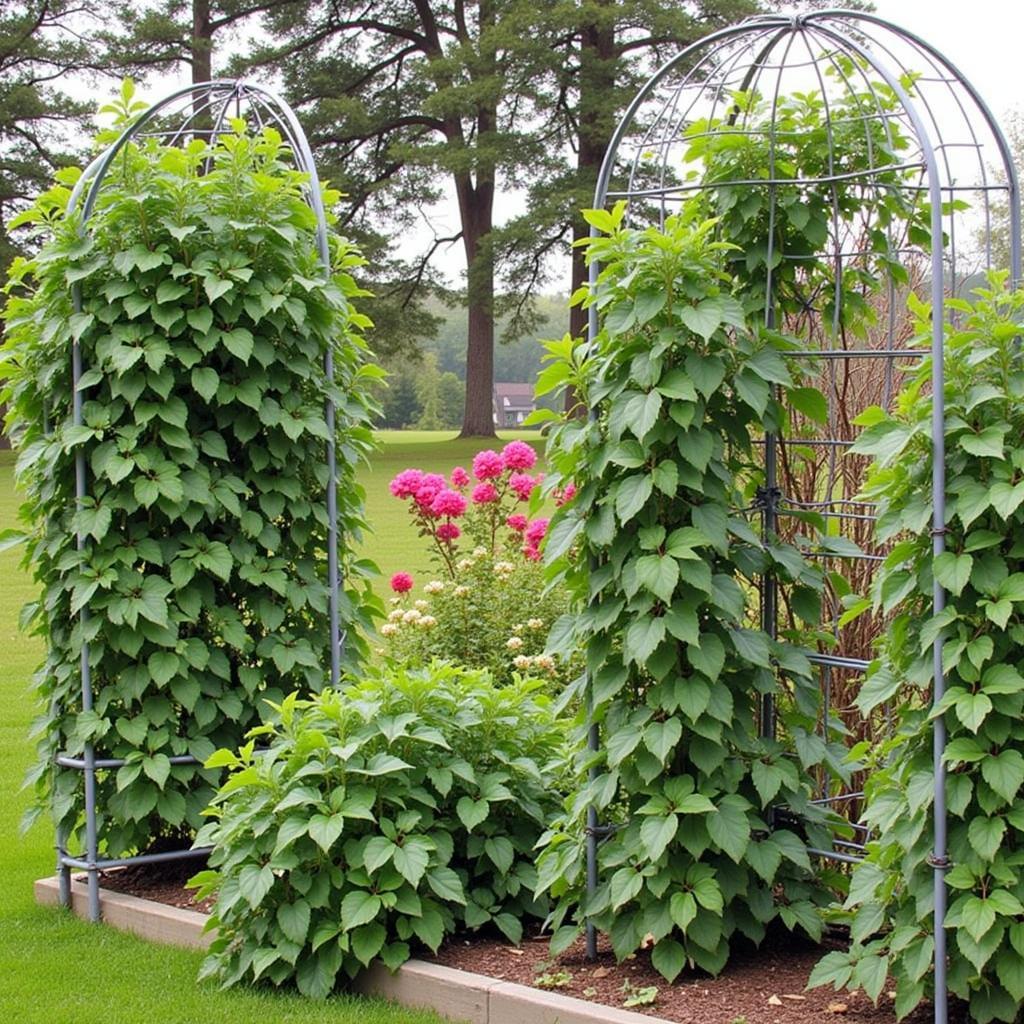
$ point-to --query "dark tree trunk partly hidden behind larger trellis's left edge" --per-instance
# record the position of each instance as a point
(598, 116)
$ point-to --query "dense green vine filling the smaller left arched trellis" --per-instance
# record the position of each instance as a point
(205, 320)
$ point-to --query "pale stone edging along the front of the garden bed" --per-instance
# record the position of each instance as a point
(460, 996)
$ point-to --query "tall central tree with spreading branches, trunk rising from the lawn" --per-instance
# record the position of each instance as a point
(406, 98)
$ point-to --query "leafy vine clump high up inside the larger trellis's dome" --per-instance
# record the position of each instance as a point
(787, 230)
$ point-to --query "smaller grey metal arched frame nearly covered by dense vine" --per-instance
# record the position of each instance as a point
(200, 111)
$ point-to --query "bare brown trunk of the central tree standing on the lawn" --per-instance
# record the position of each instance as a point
(476, 206)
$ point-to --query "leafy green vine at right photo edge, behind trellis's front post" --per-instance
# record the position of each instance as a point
(983, 630)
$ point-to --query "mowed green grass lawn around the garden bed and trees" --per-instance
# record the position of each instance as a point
(58, 970)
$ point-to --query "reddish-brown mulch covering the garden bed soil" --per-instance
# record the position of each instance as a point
(764, 986)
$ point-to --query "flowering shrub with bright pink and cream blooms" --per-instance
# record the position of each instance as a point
(488, 608)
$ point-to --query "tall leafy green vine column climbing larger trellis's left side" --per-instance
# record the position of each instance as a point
(661, 567)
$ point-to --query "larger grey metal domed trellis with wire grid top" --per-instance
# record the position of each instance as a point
(956, 142)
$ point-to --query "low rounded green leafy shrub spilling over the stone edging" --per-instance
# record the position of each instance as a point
(398, 812)
